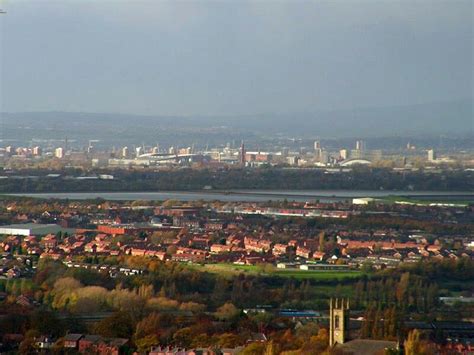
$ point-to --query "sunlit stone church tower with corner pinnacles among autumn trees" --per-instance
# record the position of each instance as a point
(338, 321)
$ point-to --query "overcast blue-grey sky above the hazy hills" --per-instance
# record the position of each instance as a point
(232, 57)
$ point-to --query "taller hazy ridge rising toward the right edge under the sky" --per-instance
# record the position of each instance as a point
(427, 119)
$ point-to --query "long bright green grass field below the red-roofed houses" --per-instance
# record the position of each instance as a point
(233, 269)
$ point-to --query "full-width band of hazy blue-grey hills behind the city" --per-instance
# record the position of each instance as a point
(448, 118)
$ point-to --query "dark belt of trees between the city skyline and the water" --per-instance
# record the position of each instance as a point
(266, 178)
